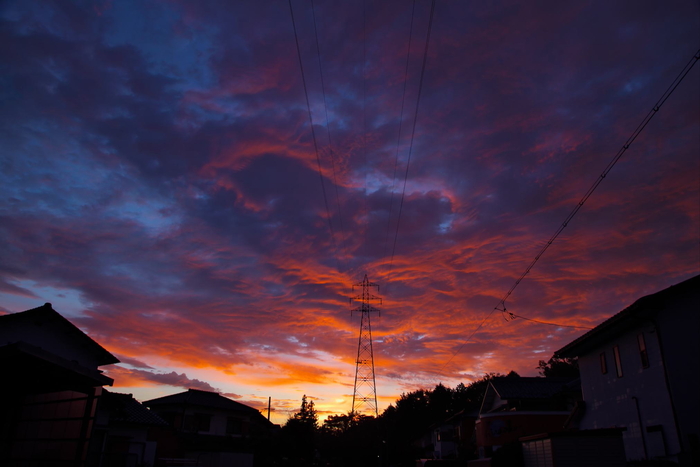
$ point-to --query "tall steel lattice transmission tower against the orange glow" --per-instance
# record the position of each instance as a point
(364, 398)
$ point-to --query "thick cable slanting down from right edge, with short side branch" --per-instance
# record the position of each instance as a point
(672, 87)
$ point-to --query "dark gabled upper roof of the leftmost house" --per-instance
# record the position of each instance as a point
(46, 314)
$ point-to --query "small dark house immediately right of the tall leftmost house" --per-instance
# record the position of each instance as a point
(126, 433)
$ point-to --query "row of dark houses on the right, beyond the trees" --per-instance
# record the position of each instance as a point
(637, 398)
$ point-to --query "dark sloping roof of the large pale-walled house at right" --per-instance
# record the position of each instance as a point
(644, 308)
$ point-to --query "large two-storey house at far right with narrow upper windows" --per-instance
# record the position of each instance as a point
(640, 372)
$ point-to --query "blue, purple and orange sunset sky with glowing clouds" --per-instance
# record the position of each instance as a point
(160, 183)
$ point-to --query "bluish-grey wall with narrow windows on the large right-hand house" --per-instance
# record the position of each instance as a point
(639, 394)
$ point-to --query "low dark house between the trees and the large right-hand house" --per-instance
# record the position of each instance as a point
(514, 407)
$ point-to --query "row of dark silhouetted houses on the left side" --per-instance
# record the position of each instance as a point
(54, 410)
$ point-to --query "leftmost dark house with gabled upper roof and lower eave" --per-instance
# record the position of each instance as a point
(51, 384)
